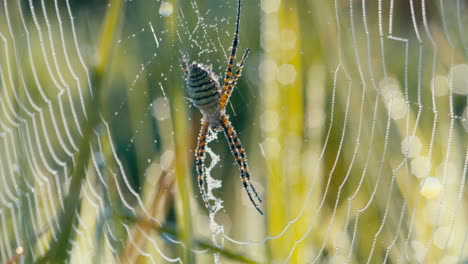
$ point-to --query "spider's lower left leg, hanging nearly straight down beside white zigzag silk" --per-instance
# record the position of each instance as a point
(200, 159)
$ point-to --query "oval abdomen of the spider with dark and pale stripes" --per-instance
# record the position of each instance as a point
(203, 88)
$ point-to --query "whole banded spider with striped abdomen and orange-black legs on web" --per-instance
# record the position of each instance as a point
(210, 98)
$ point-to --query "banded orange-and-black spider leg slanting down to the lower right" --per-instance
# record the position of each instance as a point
(241, 160)
